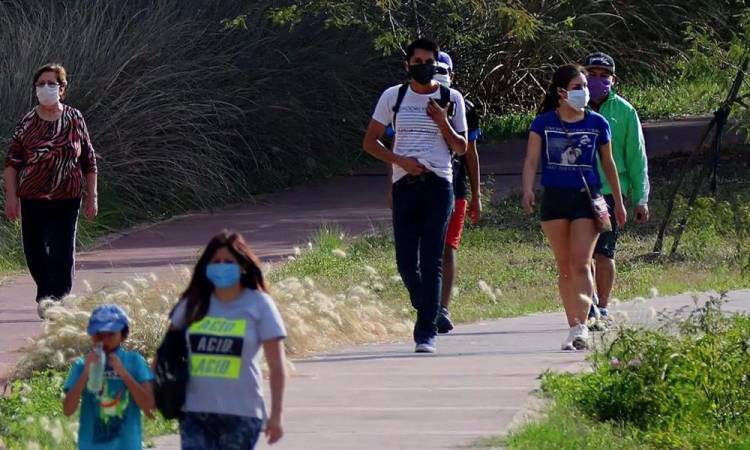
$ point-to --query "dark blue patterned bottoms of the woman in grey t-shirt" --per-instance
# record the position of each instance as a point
(208, 431)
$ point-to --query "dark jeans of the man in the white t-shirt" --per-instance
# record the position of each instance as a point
(422, 206)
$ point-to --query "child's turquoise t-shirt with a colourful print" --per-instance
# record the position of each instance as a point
(111, 421)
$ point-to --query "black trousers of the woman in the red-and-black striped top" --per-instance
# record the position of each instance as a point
(49, 243)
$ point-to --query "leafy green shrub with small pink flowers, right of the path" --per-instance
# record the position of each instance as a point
(684, 384)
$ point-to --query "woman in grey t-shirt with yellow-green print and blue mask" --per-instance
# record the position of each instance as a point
(228, 316)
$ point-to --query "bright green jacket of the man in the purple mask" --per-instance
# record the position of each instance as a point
(628, 149)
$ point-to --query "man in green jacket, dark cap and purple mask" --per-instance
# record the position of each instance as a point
(629, 151)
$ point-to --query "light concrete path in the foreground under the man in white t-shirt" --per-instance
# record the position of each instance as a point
(386, 397)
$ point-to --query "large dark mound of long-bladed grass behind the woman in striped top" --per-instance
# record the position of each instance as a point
(184, 112)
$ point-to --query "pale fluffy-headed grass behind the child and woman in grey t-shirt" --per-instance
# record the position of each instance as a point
(316, 319)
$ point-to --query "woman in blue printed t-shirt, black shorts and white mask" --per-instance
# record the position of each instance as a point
(571, 141)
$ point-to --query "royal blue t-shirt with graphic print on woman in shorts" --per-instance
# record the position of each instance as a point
(571, 149)
